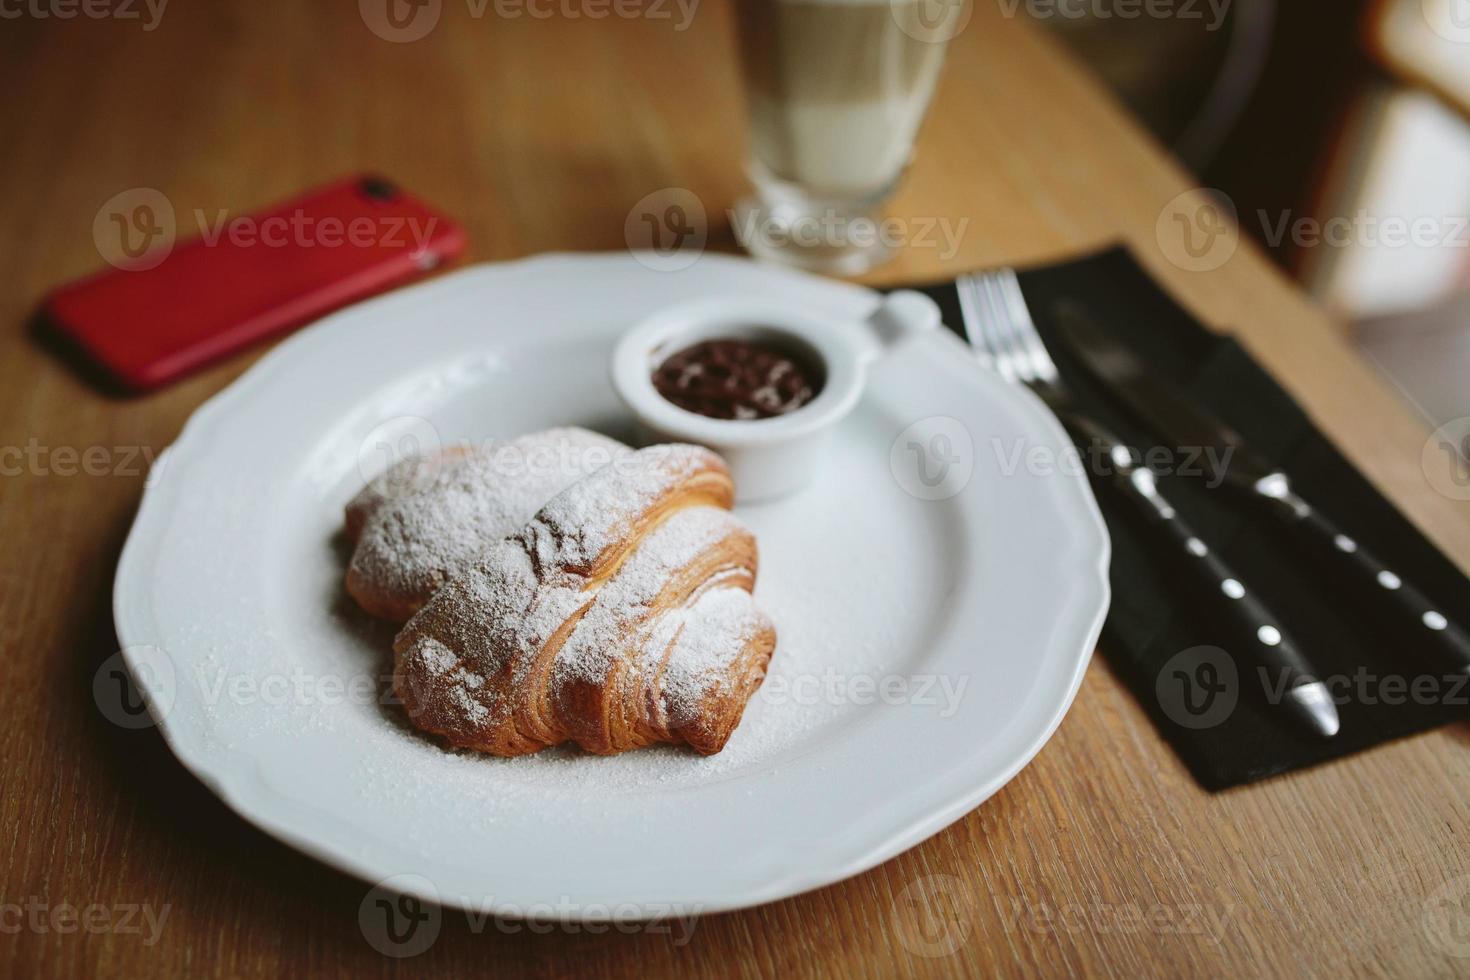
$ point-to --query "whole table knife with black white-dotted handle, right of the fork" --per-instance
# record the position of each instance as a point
(1177, 418)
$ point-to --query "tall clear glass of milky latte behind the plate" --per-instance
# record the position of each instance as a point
(836, 92)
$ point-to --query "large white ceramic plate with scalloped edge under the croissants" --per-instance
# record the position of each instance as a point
(931, 638)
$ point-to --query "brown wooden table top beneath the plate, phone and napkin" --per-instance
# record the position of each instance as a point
(542, 134)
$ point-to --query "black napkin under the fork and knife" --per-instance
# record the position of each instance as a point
(1208, 700)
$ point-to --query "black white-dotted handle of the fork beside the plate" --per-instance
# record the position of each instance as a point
(1247, 616)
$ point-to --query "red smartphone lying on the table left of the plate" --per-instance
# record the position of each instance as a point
(165, 312)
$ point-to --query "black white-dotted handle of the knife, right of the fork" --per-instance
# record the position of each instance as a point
(1397, 591)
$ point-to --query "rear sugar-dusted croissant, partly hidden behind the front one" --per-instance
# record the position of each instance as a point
(427, 518)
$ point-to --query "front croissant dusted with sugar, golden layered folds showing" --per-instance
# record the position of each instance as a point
(617, 618)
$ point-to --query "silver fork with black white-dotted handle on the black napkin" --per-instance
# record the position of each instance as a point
(1000, 330)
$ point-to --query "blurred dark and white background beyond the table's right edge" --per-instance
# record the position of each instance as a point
(1341, 136)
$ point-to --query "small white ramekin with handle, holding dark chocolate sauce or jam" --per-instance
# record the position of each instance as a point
(768, 458)
